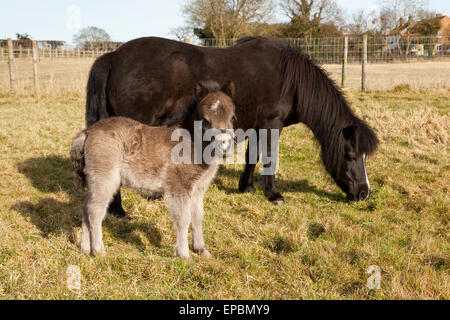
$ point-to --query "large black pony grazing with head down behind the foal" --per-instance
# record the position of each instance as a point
(148, 79)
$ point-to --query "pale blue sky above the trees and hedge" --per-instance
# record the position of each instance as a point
(123, 20)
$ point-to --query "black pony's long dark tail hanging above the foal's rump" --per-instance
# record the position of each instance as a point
(97, 104)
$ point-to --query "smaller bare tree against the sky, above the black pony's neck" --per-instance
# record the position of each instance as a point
(307, 15)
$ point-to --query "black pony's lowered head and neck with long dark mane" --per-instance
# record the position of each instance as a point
(345, 139)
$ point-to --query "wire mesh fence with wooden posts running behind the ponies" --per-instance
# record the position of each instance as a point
(66, 69)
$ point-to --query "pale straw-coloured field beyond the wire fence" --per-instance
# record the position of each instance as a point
(70, 75)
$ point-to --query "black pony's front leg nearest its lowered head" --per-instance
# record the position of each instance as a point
(270, 159)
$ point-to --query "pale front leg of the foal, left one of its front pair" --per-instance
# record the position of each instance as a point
(180, 209)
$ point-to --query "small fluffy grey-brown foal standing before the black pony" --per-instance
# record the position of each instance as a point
(121, 151)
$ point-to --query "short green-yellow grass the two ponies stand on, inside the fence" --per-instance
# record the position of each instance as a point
(316, 246)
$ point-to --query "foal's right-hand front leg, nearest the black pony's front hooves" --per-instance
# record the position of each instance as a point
(198, 242)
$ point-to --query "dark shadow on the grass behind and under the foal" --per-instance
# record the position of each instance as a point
(54, 174)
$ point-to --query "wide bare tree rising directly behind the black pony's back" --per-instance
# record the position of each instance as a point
(226, 18)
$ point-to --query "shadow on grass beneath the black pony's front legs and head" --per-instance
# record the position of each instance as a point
(283, 185)
